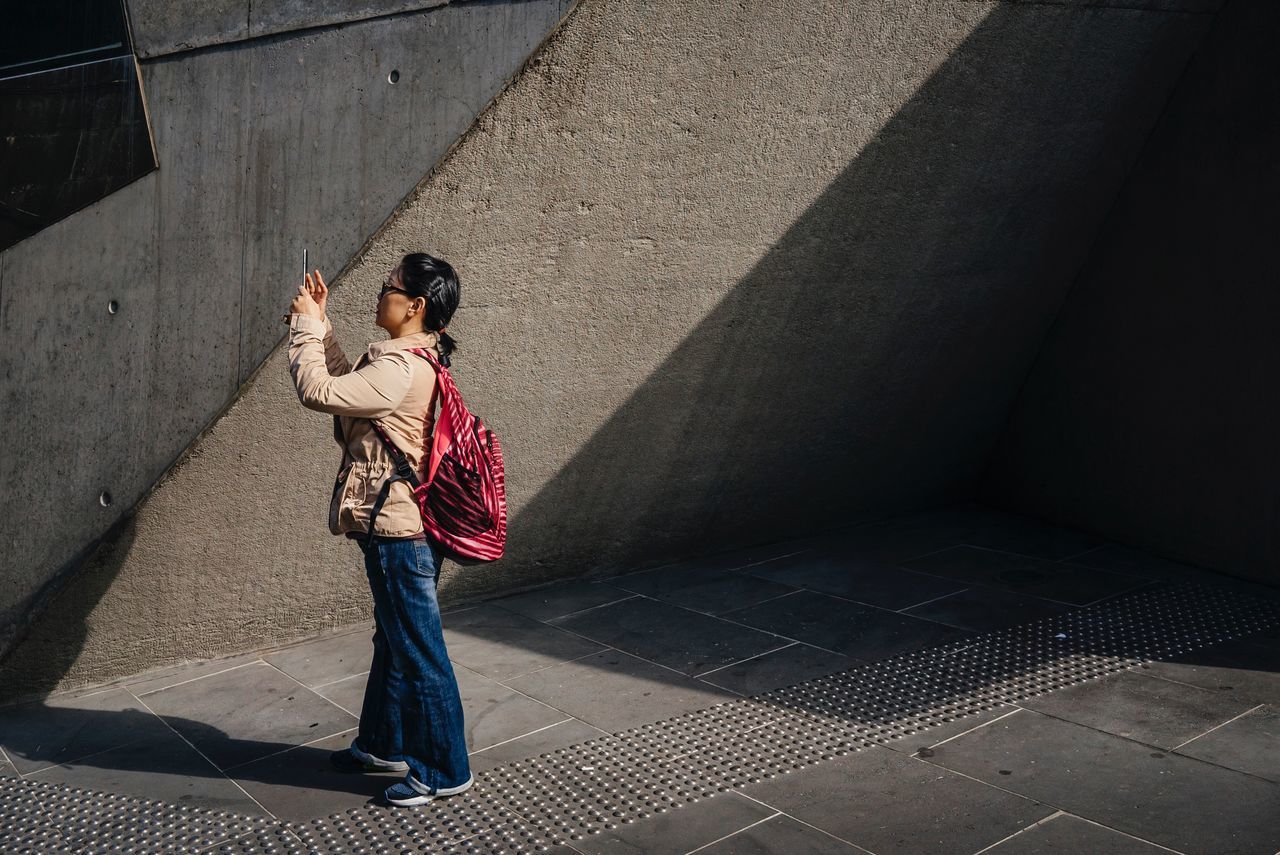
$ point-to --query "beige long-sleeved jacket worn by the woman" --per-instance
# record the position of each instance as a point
(387, 385)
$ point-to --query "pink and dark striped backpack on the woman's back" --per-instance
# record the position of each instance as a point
(464, 496)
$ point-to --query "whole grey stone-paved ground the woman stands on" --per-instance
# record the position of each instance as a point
(538, 698)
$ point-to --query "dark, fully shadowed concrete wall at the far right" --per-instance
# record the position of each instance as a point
(1153, 413)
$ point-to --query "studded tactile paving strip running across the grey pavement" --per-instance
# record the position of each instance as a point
(627, 778)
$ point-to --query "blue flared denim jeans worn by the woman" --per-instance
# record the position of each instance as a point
(413, 711)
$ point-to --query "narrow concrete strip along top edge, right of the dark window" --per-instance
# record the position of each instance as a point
(167, 28)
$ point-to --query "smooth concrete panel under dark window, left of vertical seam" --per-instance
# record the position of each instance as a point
(74, 381)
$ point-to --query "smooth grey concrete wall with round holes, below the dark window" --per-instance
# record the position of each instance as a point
(264, 148)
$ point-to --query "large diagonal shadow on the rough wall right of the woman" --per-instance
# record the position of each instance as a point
(871, 358)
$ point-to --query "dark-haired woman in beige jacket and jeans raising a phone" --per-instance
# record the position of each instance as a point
(412, 719)
